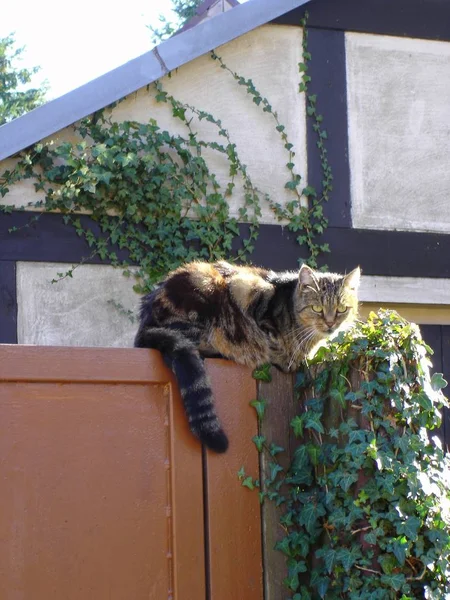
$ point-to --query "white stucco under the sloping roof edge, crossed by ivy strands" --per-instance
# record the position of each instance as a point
(269, 56)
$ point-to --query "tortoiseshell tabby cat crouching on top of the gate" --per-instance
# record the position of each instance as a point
(247, 314)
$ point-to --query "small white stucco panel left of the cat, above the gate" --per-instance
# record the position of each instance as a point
(74, 311)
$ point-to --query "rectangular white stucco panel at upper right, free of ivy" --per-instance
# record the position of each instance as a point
(399, 132)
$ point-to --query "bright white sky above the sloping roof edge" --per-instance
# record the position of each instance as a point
(76, 42)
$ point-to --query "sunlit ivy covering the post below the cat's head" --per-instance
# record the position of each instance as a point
(365, 503)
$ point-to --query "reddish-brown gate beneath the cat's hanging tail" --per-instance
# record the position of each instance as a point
(105, 495)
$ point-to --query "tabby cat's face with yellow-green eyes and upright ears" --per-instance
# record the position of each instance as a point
(326, 301)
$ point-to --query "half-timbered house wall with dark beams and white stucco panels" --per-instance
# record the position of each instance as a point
(379, 69)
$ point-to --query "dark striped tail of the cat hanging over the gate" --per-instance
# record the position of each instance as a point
(182, 357)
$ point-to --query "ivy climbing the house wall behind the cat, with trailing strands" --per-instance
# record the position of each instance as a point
(152, 195)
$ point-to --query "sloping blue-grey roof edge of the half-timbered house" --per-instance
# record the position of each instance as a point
(139, 72)
